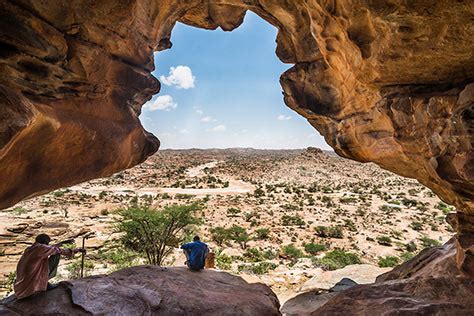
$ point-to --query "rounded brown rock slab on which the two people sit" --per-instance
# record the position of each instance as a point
(150, 290)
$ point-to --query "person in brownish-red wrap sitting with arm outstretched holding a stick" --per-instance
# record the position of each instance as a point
(37, 265)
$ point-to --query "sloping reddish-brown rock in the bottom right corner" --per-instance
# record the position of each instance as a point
(428, 284)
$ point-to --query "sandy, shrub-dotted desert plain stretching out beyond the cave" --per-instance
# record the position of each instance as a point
(295, 208)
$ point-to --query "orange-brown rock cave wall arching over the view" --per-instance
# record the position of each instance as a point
(387, 81)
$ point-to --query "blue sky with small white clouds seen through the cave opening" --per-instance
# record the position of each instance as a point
(221, 90)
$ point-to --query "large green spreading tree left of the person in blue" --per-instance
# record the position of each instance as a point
(156, 232)
